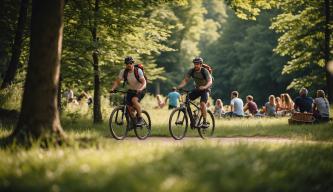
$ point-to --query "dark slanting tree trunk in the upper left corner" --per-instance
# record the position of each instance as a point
(17, 46)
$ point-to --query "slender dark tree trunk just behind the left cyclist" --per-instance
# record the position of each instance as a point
(97, 96)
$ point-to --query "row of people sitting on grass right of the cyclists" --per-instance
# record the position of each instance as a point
(281, 105)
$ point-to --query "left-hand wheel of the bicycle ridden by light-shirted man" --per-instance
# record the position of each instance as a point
(118, 123)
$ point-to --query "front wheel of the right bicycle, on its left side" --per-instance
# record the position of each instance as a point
(178, 123)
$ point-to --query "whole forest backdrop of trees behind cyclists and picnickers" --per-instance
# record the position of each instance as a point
(254, 47)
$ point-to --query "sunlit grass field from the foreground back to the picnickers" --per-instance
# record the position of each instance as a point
(96, 162)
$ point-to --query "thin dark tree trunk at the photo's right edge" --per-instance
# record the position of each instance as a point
(329, 76)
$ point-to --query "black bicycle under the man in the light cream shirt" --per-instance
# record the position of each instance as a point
(121, 121)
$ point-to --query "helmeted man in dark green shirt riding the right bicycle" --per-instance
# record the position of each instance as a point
(203, 82)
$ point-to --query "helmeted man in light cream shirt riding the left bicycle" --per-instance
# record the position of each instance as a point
(136, 86)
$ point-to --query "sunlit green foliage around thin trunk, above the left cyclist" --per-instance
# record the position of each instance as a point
(124, 28)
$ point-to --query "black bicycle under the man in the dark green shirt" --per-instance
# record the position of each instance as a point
(178, 121)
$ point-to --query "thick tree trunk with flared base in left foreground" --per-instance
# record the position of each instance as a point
(39, 118)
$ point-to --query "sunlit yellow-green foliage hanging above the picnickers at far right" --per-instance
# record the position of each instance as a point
(301, 24)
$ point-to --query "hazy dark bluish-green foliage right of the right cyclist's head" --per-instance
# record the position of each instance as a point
(245, 60)
